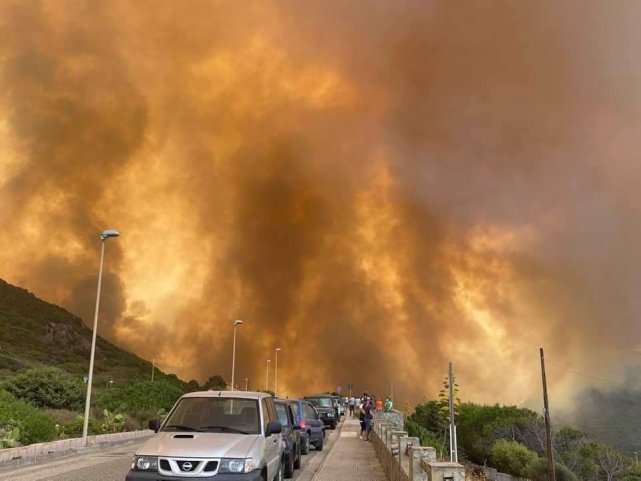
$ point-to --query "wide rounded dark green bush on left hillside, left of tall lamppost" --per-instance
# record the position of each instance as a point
(47, 387)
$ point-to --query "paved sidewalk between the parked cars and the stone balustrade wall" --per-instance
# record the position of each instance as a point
(351, 458)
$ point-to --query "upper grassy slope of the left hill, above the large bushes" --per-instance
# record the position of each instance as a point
(36, 333)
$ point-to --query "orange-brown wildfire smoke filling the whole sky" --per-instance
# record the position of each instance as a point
(376, 187)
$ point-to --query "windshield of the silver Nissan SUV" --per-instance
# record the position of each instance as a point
(214, 414)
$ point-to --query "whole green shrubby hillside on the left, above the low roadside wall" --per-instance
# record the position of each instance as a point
(44, 356)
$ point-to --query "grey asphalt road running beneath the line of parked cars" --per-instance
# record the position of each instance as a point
(113, 464)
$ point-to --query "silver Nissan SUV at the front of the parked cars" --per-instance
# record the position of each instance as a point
(217, 435)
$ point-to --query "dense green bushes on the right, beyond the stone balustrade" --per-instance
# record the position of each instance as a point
(512, 440)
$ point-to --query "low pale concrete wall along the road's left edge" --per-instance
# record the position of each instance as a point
(55, 448)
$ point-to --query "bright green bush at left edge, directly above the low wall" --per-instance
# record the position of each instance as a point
(34, 426)
